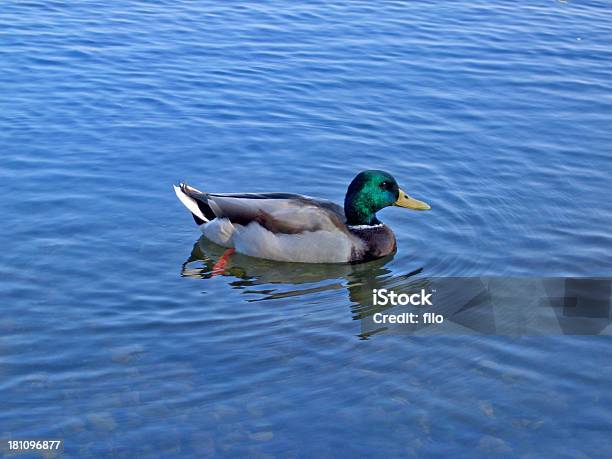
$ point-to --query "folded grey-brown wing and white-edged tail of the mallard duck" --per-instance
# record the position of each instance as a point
(277, 212)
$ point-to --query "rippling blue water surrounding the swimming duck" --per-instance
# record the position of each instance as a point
(498, 115)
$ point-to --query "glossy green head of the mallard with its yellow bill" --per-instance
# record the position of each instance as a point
(371, 191)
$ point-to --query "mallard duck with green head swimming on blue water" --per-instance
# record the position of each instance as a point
(292, 227)
